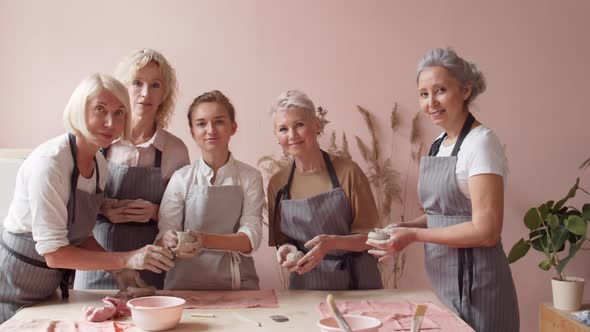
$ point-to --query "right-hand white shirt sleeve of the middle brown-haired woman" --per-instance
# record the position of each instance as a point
(251, 219)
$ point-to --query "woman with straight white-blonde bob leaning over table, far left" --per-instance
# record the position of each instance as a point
(59, 189)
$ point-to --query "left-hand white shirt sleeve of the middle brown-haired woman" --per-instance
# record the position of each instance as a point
(171, 212)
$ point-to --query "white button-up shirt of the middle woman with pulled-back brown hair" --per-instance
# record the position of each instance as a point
(233, 173)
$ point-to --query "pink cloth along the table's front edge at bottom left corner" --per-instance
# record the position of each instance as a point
(46, 325)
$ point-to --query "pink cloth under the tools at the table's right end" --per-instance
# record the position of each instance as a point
(397, 316)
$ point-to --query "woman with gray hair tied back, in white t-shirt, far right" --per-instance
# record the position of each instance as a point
(461, 188)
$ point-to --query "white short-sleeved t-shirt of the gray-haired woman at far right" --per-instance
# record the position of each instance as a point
(480, 153)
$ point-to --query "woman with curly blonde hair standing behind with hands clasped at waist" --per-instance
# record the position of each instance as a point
(139, 166)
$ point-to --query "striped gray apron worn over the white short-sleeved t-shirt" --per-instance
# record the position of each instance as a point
(474, 282)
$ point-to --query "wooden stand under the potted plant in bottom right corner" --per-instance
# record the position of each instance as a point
(554, 320)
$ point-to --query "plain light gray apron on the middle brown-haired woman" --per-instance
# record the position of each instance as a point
(213, 209)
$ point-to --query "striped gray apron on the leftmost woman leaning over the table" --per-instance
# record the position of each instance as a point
(25, 278)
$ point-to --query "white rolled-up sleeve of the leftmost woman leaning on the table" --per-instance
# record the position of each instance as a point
(48, 194)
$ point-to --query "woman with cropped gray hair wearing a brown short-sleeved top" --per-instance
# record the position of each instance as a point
(321, 206)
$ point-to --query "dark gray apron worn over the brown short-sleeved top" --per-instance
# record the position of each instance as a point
(326, 213)
